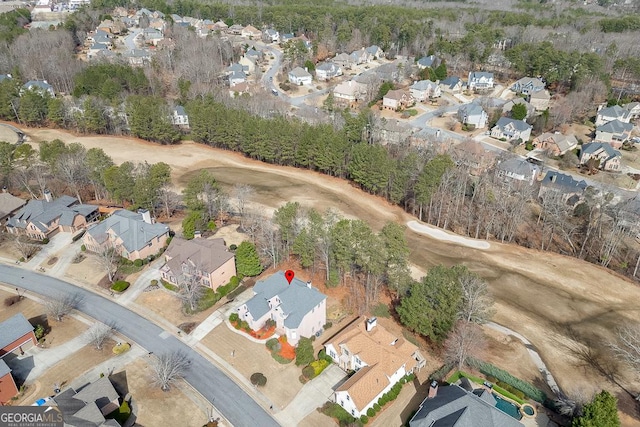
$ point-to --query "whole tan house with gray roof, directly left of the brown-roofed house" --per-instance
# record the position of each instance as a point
(133, 235)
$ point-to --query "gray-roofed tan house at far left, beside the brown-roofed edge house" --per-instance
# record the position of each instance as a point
(41, 219)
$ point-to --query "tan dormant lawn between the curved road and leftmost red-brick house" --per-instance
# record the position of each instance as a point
(58, 332)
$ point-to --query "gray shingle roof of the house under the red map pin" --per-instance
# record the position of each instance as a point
(296, 299)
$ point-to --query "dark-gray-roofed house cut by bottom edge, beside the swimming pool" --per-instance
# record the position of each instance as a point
(454, 406)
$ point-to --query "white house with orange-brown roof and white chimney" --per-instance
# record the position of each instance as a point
(379, 358)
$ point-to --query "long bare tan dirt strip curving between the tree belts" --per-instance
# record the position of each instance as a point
(549, 298)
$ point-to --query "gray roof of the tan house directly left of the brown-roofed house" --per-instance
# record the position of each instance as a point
(130, 227)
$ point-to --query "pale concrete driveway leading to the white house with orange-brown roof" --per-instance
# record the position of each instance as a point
(313, 395)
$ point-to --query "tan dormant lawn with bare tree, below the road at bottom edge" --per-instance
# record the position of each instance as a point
(153, 402)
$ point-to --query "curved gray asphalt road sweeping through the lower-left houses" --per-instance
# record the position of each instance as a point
(215, 386)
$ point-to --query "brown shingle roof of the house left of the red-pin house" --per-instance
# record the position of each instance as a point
(206, 254)
